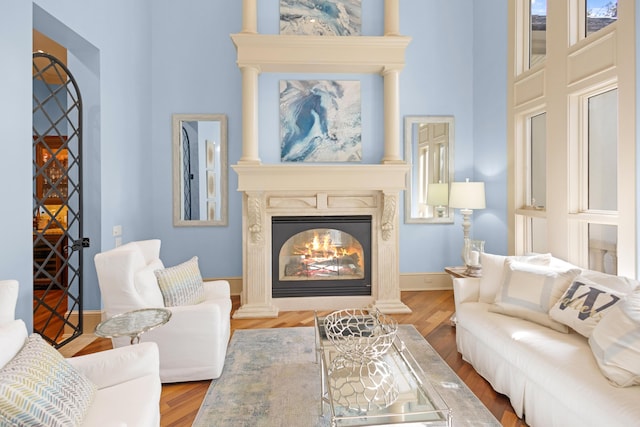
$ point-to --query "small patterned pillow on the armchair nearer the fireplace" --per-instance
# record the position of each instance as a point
(182, 284)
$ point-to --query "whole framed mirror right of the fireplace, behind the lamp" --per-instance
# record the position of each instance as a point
(429, 142)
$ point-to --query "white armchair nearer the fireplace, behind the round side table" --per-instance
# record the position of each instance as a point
(193, 344)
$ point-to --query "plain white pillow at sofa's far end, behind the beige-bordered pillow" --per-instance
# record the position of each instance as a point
(493, 270)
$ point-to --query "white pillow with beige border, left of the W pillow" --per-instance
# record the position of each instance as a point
(529, 291)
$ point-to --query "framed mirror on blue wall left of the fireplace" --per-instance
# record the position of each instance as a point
(199, 169)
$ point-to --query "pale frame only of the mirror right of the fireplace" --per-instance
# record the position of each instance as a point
(412, 184)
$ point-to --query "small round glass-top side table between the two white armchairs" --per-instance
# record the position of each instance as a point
(133, 323)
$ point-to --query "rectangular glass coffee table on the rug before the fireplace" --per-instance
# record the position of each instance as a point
(389, 389)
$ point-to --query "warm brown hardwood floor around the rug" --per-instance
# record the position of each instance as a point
(180, 402)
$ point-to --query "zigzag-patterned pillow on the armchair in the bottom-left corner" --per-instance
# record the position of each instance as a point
(39, 388)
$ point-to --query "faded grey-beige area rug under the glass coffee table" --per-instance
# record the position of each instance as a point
(271, 379)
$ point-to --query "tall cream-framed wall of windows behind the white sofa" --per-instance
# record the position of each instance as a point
(572, 132)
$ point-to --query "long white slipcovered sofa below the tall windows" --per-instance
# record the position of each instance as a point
(551, 378)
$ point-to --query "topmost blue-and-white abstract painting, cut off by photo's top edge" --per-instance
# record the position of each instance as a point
(321, 17)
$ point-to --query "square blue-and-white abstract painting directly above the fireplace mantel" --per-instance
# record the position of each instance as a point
(320, 121)
